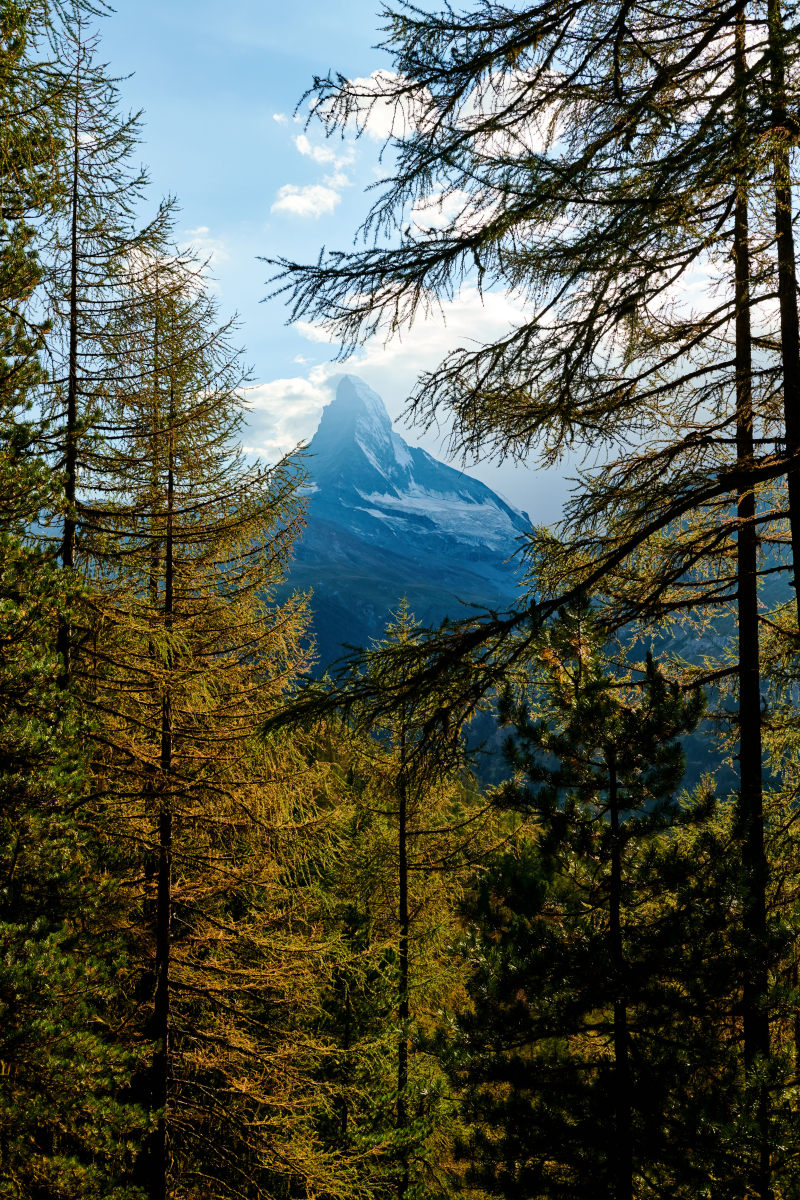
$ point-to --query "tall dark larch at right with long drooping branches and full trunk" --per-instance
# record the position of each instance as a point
(594, 157)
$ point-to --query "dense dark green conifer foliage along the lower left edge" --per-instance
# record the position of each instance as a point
(65, 1125)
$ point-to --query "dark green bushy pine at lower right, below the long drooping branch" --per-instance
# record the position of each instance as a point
(598, 1055)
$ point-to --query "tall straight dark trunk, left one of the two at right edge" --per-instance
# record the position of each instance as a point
(755, 869)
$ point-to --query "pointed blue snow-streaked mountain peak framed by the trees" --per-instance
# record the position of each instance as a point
(388, 520)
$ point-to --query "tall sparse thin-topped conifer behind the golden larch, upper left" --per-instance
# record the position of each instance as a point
(94, 249)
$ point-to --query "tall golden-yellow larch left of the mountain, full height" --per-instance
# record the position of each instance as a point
(187, 542)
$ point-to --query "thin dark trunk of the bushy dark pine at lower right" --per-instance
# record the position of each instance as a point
(623, 1131)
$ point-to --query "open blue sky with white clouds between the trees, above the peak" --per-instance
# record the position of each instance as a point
(219, 82)
